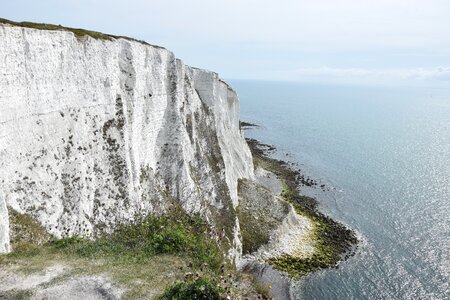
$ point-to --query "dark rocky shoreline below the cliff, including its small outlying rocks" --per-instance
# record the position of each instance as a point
(334, 242)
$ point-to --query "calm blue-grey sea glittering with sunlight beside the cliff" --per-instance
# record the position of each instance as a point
(384, 155)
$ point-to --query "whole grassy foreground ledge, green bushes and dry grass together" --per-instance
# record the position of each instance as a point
(143, 257)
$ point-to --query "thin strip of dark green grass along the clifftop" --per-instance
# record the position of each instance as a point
(77, 31)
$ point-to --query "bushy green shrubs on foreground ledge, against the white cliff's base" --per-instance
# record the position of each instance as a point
(173, 234)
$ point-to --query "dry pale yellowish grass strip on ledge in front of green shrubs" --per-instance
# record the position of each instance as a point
(138, 278)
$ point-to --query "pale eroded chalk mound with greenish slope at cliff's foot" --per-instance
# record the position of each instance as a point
(269, 225)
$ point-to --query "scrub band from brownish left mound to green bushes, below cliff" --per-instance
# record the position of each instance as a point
(175, 233)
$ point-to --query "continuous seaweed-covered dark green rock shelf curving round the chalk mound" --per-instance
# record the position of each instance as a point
(332, 239)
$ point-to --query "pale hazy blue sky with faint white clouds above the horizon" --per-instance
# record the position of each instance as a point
(313, 40)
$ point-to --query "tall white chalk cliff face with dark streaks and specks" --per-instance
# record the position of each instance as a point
(97, 132)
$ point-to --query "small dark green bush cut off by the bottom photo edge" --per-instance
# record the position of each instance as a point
(201, 288)
